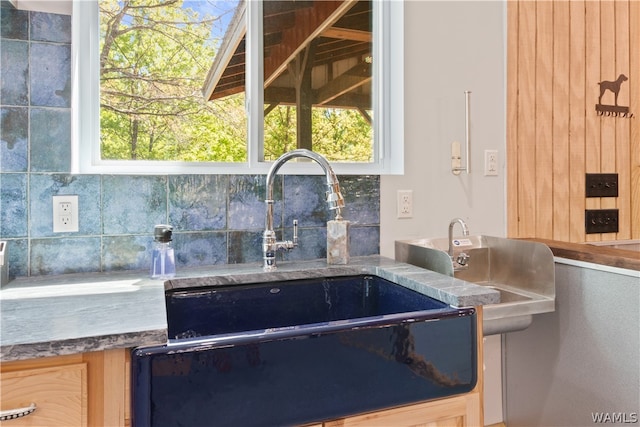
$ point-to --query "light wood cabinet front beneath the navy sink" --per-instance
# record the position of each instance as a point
(459, 411)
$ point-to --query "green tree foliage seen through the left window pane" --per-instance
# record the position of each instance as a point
(154, 58)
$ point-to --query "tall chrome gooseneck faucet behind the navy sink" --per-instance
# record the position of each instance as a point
(270, 245)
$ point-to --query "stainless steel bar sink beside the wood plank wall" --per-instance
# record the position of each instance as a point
(522, 271)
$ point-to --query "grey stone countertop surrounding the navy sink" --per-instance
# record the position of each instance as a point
(76, 313)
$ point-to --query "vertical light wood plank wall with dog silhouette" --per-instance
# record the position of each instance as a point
(557, 52)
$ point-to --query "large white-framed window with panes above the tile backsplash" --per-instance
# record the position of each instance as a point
(301, 98)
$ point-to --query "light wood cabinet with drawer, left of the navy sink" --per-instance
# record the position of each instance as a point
(78, 390)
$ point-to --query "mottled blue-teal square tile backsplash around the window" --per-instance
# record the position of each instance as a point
(217, 219)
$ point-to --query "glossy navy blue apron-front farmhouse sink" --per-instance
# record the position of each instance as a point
(300, 351)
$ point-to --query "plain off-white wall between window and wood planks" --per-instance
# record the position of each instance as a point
(450, 47)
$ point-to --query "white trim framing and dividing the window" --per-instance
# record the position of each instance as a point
(388, 43)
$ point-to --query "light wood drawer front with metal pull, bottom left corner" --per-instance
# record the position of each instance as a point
(59, 393)
